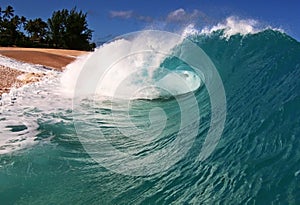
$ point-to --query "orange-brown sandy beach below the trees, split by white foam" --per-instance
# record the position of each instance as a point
(52, 58)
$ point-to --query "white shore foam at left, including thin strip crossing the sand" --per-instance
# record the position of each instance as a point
(19, 108)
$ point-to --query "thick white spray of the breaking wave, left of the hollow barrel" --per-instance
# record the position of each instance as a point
(122, 66)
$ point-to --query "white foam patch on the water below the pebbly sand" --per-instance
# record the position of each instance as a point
(26, 106)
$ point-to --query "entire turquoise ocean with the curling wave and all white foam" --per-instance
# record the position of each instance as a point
(167, 123)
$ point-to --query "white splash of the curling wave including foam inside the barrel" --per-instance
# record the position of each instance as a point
(119, 61)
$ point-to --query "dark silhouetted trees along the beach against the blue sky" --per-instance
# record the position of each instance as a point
(65, 29)
